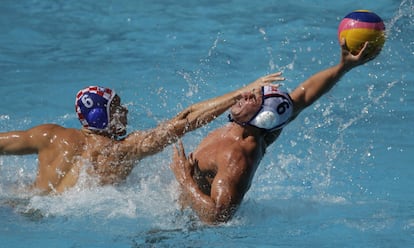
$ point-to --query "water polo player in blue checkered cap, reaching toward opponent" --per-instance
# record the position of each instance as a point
(101, 148)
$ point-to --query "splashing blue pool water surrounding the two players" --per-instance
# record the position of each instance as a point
(341, 175)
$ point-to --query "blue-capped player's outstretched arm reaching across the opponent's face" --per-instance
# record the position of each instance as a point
(193, 117)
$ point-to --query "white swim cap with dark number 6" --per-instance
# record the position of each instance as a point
(276, 110)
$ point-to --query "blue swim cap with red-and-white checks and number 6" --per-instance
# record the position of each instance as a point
(93, 106)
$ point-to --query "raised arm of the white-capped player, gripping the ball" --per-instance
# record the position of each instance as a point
(320, 83)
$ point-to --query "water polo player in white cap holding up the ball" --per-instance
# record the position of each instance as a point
(217, 175)
